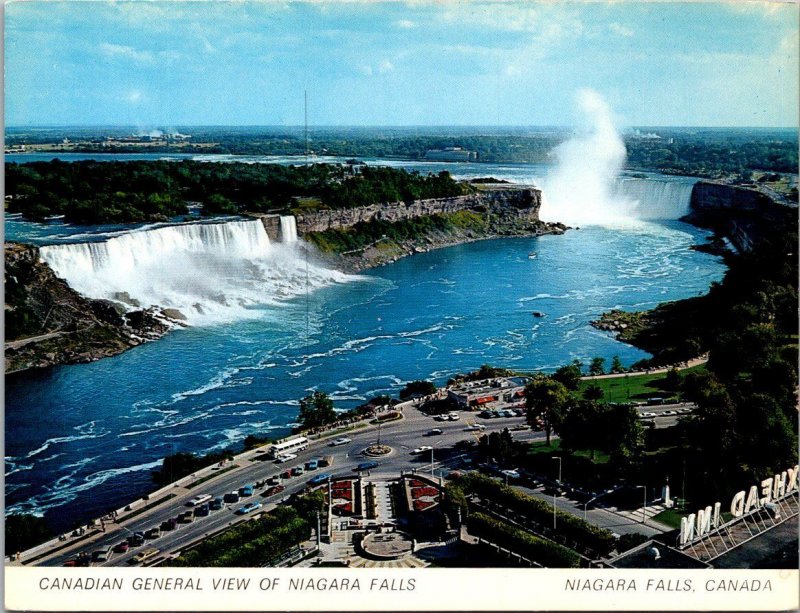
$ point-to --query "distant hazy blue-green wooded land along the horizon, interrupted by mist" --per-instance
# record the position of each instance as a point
(703, 152)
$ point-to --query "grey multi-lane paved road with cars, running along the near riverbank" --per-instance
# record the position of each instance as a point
(403, 436)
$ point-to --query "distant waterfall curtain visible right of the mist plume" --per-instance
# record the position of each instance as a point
(656, 198)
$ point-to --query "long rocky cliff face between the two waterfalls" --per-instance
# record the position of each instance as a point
(520, 203)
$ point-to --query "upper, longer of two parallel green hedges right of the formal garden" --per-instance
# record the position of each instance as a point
(575, 529)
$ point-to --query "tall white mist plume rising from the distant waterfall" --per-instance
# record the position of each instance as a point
(580, 189)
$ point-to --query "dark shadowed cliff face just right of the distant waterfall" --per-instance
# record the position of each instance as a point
(742, 214)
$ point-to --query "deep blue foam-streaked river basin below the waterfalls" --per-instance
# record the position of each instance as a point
(108, 424)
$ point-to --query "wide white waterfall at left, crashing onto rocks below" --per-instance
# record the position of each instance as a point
(210, 272)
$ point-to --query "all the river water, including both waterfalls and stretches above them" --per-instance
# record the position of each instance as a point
(258, 341)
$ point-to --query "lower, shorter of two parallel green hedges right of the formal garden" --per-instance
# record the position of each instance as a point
(528, 546)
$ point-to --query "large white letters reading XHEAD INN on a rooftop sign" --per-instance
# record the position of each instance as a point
(758, 496)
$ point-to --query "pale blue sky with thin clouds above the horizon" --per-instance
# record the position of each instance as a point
(176, 63)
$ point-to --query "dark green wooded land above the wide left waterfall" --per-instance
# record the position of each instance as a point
(89, 192)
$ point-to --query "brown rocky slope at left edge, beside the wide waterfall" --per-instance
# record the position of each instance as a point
(47, 322)
